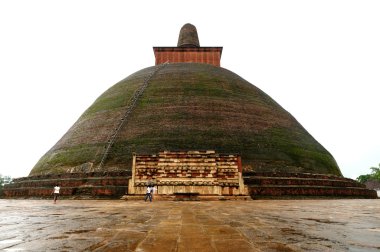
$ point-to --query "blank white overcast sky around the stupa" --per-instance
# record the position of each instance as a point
(320, 60)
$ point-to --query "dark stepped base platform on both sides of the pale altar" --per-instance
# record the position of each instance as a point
(259, 185)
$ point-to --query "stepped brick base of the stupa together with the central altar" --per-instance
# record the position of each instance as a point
(203, 178)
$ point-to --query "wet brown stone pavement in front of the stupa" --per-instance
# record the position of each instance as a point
(259, 225)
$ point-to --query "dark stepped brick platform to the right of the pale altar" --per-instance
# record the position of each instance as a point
(271, 185)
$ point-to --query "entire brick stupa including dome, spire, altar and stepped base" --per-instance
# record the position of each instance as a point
(193, 104)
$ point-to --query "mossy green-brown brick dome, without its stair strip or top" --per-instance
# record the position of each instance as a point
(189, 106)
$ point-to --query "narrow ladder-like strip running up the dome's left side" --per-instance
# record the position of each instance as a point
(131, 105)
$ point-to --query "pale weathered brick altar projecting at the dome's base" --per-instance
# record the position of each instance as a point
(188, 172)
